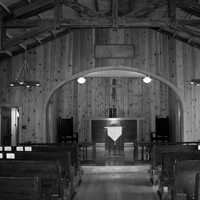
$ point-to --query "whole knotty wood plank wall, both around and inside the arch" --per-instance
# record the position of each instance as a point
(57, 60)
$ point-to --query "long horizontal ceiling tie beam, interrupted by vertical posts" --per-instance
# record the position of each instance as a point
(85, 22)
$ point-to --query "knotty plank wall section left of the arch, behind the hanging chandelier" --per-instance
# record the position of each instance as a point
(49, 64)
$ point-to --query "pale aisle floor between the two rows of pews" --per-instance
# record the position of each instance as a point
(115, 183)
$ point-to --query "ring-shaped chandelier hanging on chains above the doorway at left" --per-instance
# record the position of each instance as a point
(21, 80)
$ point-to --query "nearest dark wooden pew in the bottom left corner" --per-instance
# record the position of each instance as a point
(20, 188)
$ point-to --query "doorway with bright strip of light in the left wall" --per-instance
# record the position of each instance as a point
(9, 125)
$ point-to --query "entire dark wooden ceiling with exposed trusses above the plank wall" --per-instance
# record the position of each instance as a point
(29, 23)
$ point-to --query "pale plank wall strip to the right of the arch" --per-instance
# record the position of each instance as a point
(188, 67)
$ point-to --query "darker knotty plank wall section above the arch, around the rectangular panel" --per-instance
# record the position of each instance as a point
(151, 49)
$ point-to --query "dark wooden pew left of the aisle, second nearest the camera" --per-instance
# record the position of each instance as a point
(49, 172)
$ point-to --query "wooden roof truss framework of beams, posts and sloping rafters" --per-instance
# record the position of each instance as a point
(180, 29)
